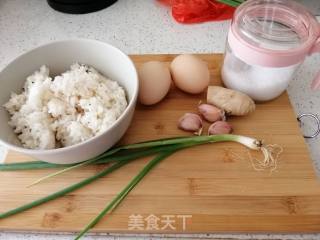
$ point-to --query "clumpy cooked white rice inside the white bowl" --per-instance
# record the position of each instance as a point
(67, 109)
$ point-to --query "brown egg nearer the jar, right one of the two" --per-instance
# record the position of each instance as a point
(190, 73)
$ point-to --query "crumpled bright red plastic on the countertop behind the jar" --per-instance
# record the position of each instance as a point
(195, 11)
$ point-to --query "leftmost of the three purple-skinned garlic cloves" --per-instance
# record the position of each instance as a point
(190, 122)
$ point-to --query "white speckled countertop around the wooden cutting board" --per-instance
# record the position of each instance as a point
(137, 27)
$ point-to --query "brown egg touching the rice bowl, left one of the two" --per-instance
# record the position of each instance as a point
(155, 81)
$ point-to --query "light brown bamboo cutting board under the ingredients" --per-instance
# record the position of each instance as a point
(208, 186)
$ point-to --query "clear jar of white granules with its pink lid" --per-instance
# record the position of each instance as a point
(267, 42)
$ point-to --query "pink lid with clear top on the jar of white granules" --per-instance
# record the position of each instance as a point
(273, 33)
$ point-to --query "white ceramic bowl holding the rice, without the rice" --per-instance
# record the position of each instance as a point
(58, 56)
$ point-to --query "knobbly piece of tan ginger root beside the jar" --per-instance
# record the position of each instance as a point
(231, 101)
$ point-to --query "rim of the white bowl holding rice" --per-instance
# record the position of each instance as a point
(113, 125)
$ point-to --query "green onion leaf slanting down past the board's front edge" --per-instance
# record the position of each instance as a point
(118, 199)
